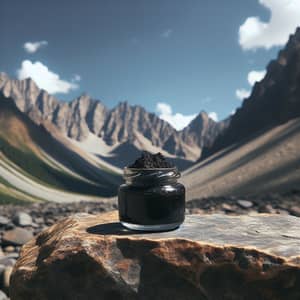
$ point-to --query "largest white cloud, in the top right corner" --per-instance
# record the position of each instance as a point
(285, 17)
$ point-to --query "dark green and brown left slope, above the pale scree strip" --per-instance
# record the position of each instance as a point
(21, 142)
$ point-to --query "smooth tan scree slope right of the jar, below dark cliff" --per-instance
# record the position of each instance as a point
(268, 162)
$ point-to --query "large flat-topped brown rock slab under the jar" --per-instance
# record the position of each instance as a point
(208, 257)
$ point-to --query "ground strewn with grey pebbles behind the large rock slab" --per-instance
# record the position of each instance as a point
(39, 216)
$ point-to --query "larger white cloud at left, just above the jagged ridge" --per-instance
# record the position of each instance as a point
(44, 78)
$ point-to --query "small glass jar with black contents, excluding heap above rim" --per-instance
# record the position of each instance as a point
(151, 199)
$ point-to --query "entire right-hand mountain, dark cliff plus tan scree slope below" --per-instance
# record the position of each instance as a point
(259, 152)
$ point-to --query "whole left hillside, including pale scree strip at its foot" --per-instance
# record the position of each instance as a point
(29, 152)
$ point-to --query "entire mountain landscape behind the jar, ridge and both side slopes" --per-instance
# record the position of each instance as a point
(64, 151)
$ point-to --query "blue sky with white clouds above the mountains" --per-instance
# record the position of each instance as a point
(173, 57)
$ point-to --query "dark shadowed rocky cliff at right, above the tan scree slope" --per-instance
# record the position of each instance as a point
(273, 101)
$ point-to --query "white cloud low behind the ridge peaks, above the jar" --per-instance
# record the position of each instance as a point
(178, 121)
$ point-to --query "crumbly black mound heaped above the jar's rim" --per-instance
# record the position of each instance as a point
(149, 161)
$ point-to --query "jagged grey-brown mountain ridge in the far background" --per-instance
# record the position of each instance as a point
(85, 119)
